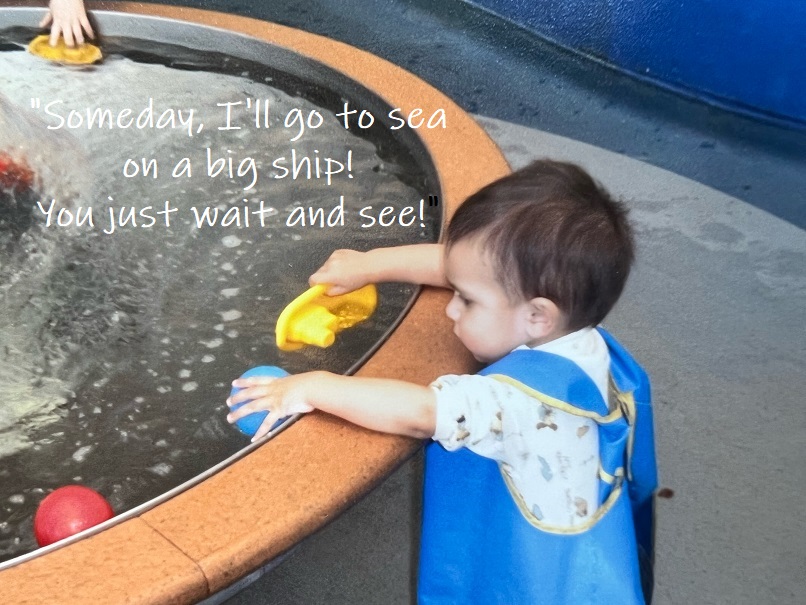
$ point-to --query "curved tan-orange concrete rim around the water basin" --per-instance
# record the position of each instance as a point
(206, 538)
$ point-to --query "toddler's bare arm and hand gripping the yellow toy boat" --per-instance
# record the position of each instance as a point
(348, 270)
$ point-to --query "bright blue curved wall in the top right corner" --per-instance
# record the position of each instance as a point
(747, 54)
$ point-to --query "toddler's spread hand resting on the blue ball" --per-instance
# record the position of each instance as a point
(281, 397)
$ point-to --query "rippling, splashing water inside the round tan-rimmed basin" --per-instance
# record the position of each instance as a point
(116, 351)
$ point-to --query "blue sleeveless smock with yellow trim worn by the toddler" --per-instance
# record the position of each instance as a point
(480, 546)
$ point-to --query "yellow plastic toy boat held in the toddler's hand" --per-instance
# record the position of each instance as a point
(314, 318)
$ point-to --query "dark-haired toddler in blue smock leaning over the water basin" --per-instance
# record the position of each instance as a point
(538, 486)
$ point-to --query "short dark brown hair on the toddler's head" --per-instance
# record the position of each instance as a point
(551, 231)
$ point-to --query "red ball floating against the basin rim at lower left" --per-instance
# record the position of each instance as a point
(67, 511)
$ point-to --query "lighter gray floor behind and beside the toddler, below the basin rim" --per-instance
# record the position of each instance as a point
(716, 311)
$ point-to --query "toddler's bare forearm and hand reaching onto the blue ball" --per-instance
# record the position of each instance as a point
(389, 406)
